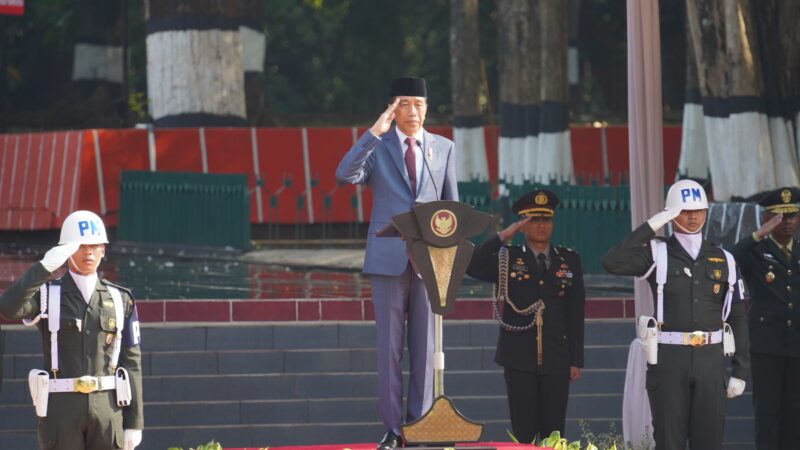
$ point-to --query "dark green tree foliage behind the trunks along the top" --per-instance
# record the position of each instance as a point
(328, 62)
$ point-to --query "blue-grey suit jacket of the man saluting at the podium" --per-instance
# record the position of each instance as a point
(379, 163)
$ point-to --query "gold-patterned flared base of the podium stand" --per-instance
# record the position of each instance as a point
(441, 427)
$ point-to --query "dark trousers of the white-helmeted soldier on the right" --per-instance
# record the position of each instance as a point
(687, 397)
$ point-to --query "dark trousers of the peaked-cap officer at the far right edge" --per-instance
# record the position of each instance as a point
(776, 401)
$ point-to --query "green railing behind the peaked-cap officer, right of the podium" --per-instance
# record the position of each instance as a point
(589, 219)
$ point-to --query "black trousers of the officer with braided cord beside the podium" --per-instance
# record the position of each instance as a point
(537, 403)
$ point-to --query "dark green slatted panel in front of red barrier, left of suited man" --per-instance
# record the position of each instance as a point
(185, 208)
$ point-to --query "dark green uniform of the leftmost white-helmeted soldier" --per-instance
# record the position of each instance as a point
(77, 421)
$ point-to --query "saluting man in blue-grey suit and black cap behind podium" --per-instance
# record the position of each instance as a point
(403, 165)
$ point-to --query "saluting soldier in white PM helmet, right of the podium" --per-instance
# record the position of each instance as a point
(699, 320)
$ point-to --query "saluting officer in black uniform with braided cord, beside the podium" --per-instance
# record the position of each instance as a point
(541, 336)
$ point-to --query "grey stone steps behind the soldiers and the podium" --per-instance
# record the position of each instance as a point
(291, 384)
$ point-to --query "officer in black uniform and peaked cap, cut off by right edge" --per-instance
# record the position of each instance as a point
(770, 263)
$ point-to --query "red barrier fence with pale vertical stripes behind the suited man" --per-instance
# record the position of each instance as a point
(44, 176)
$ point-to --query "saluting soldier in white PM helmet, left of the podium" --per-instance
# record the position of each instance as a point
(88, 393)
